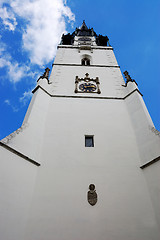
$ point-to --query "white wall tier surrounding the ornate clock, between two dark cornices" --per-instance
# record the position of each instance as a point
(110, 80)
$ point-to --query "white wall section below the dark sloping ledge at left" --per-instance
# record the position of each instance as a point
(16, 190)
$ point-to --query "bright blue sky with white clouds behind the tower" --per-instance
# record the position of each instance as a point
(31, 30)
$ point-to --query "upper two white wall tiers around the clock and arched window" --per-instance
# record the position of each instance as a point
(63, 76)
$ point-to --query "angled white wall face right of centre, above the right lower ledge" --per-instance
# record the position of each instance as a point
(147, 141)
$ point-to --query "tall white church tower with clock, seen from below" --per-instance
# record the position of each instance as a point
(84, 165)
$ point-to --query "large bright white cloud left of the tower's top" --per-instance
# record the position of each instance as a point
(45, 23)
